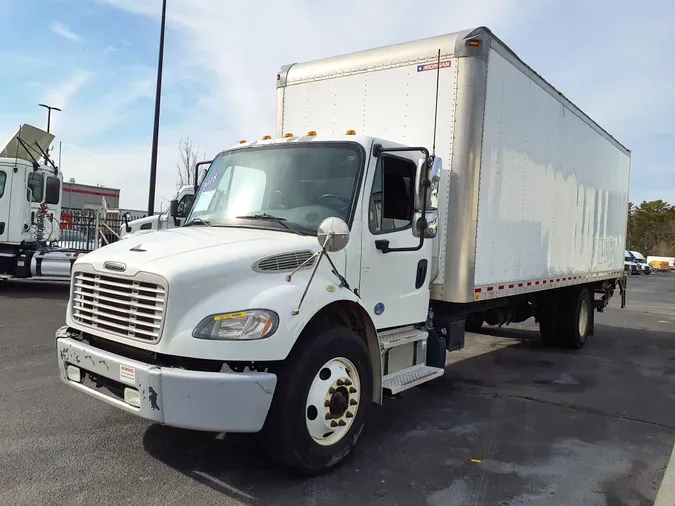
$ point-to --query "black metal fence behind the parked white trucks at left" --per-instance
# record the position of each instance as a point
(87, 230)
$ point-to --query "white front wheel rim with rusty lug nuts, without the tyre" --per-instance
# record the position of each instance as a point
(333, 401)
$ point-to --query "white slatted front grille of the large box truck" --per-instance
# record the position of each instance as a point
(121, 306)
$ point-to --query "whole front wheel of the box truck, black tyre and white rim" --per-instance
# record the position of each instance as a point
(320, 401)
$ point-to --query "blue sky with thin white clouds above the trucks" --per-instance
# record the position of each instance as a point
(96, 59)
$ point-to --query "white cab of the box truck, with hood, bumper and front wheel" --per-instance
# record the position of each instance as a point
(285, 243)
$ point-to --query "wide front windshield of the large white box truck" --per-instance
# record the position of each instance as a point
(303, 185)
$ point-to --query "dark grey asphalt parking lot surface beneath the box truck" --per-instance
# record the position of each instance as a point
(511, 423)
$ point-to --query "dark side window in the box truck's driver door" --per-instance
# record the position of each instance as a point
(392, 198)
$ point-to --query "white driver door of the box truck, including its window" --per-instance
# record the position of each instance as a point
(394, 286)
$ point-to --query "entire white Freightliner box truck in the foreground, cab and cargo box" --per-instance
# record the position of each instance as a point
(239, 321)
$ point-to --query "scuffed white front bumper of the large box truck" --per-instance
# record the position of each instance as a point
(210, 401)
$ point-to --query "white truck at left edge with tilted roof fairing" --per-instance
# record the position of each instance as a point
(30, 210)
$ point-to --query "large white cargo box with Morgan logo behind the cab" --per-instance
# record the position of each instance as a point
(534, 193)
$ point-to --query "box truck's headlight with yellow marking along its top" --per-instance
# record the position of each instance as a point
(242, 325)
